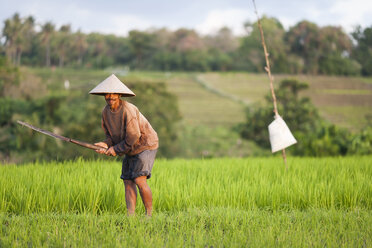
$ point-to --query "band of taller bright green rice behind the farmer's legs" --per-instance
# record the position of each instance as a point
(244, 184)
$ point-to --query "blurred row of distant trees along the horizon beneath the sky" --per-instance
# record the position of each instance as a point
(304, 48)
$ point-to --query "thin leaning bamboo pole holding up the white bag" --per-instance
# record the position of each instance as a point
(268, 70)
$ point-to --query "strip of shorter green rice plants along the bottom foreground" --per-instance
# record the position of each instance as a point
(194, 227)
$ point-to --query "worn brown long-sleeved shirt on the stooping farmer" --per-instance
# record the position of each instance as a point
(128, 130)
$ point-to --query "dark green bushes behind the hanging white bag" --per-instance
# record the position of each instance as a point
(315, 136)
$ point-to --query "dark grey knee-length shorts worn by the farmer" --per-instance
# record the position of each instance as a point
(138, 165)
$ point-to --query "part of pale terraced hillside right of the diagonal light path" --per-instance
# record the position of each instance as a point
(345, 101)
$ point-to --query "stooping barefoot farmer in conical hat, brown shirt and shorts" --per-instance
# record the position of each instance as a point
(128, 133)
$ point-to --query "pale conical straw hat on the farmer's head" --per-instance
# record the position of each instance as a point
(112, 85)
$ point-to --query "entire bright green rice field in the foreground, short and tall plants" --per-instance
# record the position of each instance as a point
(199, 203)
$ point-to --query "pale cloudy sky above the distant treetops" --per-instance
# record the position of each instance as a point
(205, 16)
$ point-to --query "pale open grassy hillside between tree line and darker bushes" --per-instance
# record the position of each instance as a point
(217, 99)
